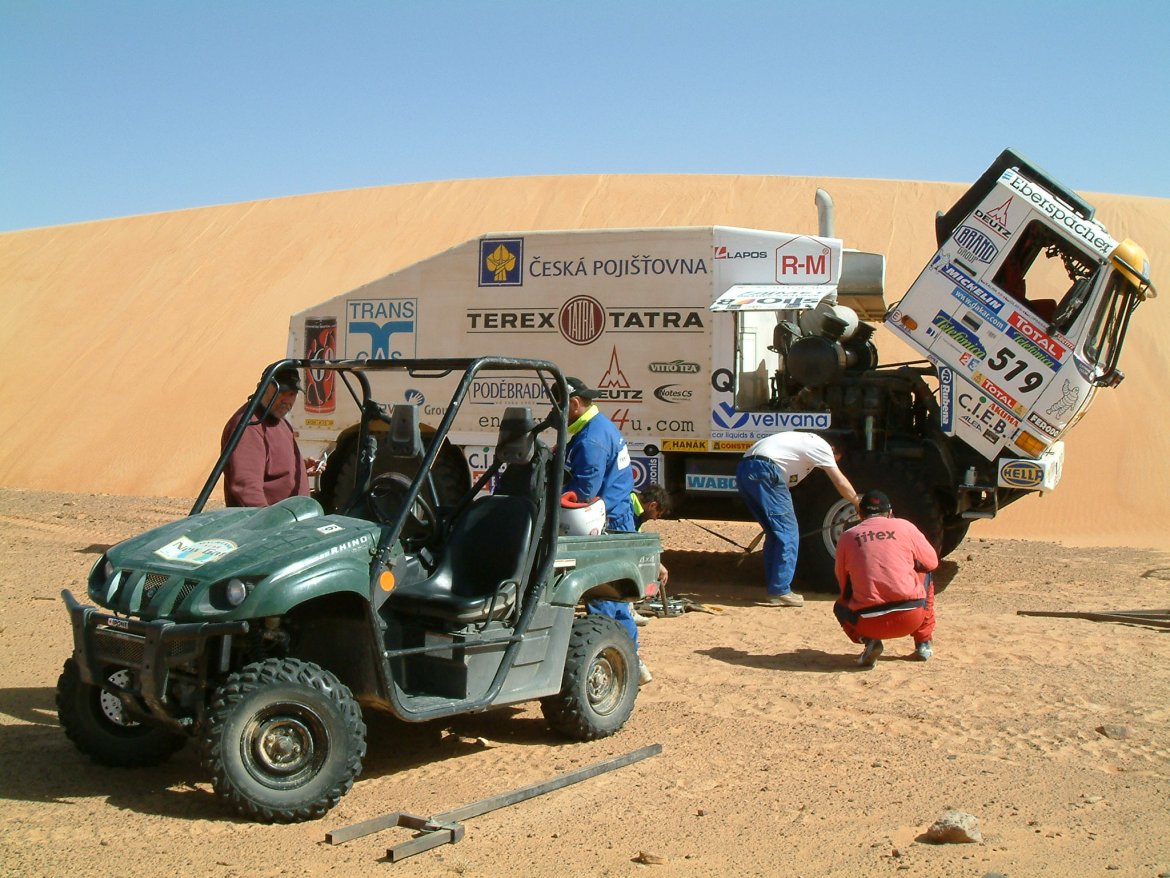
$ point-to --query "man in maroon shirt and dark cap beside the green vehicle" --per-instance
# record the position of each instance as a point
(266, 467)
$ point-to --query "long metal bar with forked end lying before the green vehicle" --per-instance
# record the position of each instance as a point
(446, 828)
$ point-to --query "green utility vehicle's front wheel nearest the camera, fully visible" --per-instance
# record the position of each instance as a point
(285, 740)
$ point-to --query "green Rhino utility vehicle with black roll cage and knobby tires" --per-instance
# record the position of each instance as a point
(264, 634)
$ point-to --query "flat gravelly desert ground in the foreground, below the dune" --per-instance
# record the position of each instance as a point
(780, 757)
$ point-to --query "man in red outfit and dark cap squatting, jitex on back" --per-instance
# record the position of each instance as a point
(884, 571)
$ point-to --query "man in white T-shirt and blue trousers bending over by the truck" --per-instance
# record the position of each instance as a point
(766, 477)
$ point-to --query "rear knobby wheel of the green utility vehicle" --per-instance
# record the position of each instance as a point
(601, 682)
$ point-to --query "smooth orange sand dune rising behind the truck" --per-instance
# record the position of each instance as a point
(128, 342)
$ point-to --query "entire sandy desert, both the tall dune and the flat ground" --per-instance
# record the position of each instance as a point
(128, 344)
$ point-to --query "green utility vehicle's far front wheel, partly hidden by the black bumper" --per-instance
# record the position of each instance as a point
(94, 721)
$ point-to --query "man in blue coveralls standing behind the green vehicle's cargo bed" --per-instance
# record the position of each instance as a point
(598, 465)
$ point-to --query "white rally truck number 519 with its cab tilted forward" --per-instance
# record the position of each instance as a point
(705, 340)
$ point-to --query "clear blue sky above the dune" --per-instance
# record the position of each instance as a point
(115, 108)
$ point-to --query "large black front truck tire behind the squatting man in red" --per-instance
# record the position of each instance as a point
(823, 515)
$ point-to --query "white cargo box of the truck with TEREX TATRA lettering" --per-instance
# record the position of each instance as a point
(627, 311)
